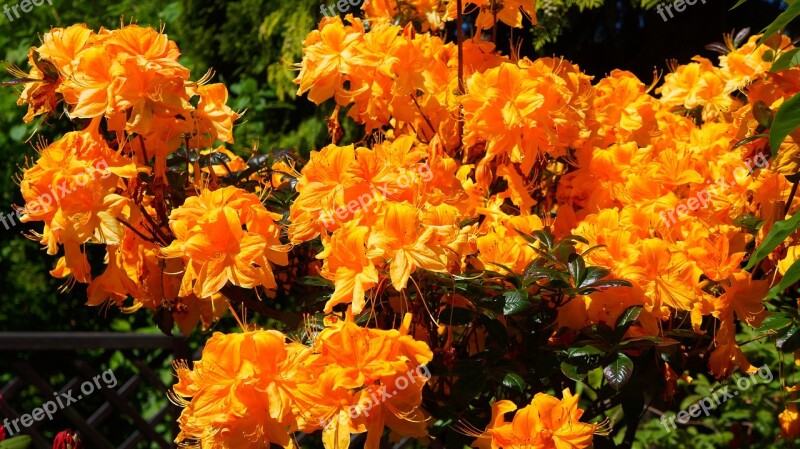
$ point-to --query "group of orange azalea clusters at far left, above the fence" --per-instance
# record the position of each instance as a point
(134, 105)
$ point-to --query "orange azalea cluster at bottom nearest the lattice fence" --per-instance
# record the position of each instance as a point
(242, 393)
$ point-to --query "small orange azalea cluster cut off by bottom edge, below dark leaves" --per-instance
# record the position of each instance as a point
(547, 423)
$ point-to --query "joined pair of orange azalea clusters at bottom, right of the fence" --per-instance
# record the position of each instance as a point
(257, 388)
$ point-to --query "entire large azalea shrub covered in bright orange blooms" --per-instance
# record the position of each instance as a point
(506, 226)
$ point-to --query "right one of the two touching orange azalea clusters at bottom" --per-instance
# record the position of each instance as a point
(359, 391)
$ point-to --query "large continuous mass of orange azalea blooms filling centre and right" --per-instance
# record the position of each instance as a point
(541, 137)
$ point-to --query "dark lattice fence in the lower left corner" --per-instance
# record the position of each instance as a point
(48, 367)
